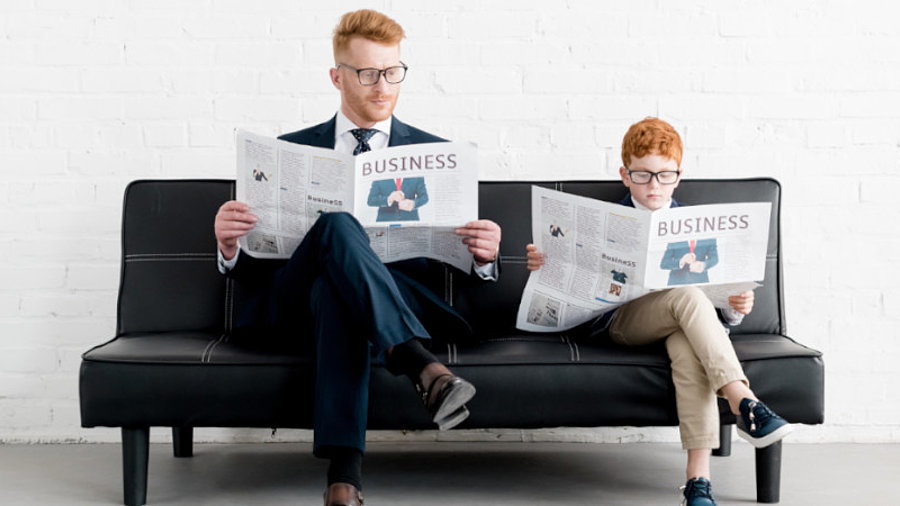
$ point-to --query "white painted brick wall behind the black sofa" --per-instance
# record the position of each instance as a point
(96, 93)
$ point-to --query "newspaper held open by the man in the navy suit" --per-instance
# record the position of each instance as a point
(409, 198)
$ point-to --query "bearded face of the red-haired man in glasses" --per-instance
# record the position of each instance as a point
(366, 105)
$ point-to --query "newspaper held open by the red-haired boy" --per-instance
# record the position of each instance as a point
(599, 255)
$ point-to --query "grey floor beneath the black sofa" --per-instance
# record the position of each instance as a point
(447, 473)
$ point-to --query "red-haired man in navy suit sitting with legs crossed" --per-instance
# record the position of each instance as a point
(335, 289)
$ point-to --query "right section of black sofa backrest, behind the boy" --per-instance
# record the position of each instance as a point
(491, 307)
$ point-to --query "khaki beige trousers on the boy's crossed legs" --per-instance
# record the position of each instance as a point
(703, 359)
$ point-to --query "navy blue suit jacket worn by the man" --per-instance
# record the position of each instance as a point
(413, 276)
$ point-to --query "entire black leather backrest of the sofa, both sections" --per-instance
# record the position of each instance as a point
(169, 280)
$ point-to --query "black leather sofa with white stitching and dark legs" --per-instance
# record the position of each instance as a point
(176, 361)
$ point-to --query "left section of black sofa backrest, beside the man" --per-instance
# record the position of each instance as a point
(169, 279)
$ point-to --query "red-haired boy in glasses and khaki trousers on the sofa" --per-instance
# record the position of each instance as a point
(704, 363)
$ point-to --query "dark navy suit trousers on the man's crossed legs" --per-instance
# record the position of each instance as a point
(335, 288)
